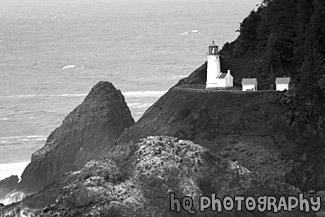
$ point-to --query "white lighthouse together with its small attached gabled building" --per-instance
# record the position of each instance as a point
(215, 78)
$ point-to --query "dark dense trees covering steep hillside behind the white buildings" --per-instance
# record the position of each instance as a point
(286, 38)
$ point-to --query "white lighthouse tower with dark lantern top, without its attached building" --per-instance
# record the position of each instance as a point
(214, 69)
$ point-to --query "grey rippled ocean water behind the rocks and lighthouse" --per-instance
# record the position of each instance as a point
(53, 52)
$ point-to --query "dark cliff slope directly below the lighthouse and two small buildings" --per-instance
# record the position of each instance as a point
(254, 128)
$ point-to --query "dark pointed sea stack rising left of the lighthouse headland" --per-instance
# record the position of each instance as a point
(88, 132)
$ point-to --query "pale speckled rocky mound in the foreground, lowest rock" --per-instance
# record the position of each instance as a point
(141, 182)
